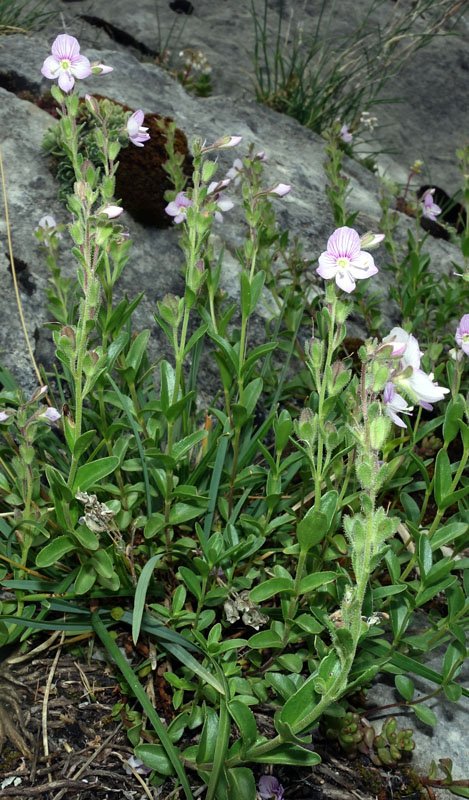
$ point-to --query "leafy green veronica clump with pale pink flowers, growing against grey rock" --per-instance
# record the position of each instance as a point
(276, 537)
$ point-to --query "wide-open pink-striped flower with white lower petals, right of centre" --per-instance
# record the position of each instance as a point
(344, 260)
